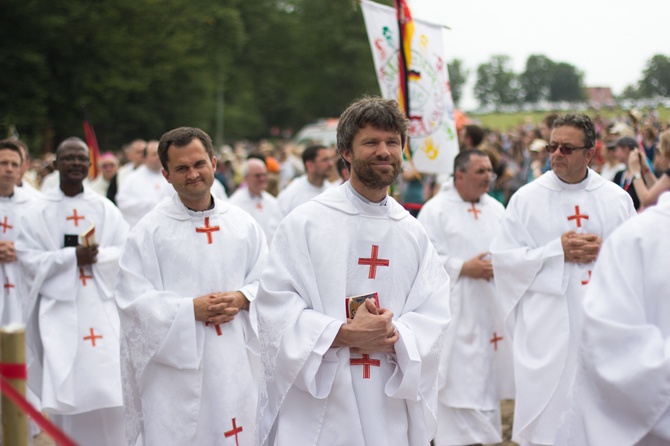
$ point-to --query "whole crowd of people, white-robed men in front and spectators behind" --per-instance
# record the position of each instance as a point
(276, 295)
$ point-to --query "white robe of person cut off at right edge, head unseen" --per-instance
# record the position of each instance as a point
(622, 389)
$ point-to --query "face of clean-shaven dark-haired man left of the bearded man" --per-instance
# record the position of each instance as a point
(190, 170)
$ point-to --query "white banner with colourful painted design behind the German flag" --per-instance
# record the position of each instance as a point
(433, 138)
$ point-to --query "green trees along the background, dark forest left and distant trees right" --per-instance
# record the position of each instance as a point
(235, 68)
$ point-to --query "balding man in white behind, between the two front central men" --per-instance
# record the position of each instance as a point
(254, 199)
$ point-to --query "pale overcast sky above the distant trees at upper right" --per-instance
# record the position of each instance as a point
(610, 42)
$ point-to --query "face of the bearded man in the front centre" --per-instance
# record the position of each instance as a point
(375, 159)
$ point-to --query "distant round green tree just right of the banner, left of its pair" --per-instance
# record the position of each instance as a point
(496, 83)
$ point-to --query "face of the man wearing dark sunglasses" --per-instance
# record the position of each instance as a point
(570, 168)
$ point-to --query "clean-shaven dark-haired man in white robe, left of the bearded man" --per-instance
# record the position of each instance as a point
(189, 271)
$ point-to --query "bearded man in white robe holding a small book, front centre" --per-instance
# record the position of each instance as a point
(353, 307)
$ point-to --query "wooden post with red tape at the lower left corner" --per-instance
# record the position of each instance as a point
(13, 356)
